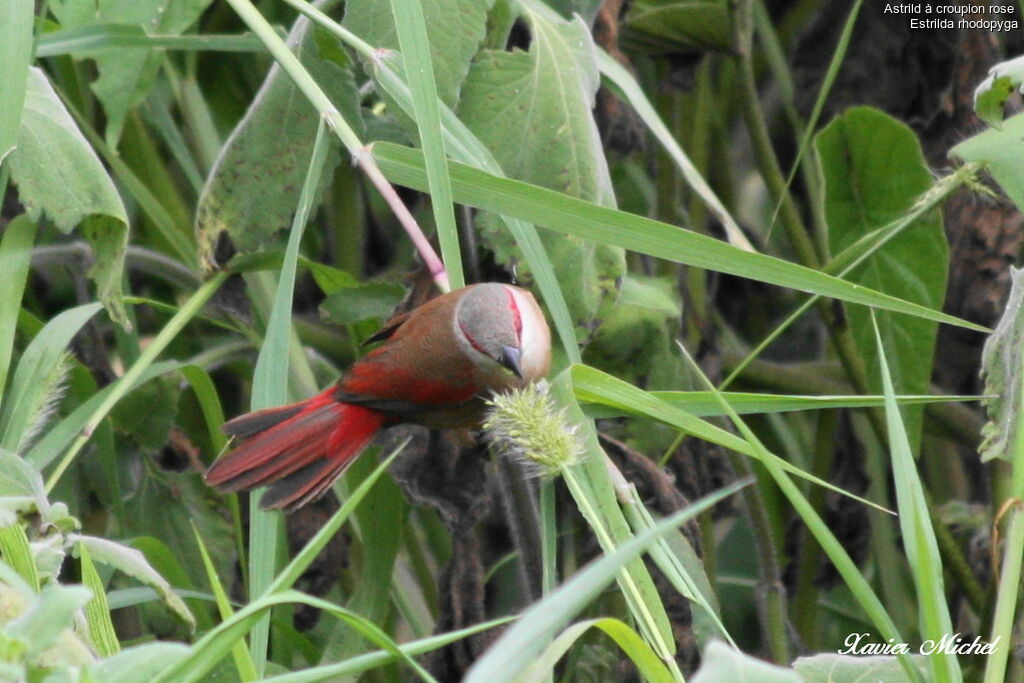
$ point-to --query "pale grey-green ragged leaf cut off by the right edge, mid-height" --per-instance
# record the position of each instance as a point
(1002, 363)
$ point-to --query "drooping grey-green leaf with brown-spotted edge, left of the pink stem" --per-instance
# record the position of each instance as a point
(252, 191)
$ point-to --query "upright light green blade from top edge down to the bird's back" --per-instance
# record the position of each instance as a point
(411, 25)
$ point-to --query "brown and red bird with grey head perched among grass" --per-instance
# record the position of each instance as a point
(436, 366)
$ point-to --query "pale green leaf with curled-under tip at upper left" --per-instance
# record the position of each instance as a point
(59, 175)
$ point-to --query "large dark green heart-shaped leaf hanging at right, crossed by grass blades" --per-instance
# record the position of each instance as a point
(874, 173)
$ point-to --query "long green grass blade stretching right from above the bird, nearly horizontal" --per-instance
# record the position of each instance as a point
(583, 220)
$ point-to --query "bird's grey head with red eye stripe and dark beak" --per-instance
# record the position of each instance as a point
(503, 329)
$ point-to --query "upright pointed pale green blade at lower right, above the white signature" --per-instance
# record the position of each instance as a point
(919, 537)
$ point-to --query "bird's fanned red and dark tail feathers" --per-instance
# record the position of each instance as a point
(298, 450)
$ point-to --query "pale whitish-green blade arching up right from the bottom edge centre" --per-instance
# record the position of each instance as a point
(518, 649)
